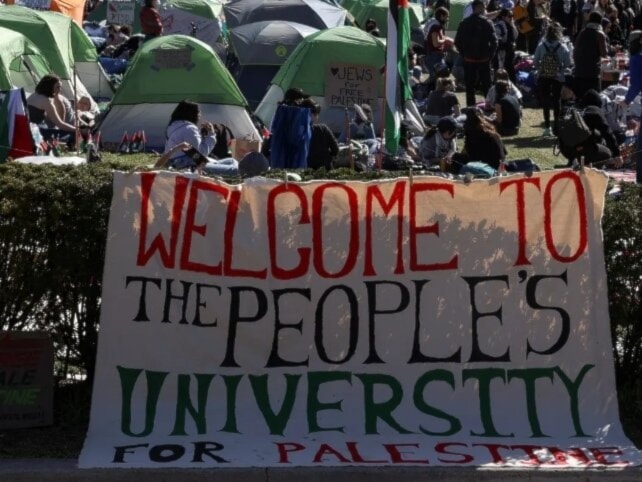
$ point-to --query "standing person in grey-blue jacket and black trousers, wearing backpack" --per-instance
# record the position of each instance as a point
(552, 61)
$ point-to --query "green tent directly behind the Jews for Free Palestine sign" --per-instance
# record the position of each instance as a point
(307, 68)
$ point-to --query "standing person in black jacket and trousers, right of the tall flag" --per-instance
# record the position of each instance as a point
(476, 43)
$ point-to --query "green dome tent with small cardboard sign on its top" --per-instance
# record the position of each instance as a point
(165, 71)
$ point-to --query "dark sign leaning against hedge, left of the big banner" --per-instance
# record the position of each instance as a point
(26, 379)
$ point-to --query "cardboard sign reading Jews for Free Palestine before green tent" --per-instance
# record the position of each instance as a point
(349, 84)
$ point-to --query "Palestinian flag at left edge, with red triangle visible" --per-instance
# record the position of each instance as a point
(15, 133)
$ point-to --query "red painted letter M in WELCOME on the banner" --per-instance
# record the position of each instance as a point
(397, 198)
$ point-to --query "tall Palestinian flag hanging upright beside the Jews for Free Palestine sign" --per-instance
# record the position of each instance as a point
(397, 86)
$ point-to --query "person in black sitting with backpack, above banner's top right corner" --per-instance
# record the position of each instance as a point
(602, 147)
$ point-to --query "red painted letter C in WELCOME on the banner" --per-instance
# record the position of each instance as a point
(304, 253)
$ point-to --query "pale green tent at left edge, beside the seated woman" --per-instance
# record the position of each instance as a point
(21, 63)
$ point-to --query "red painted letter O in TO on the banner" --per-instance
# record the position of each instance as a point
(548, 218)
